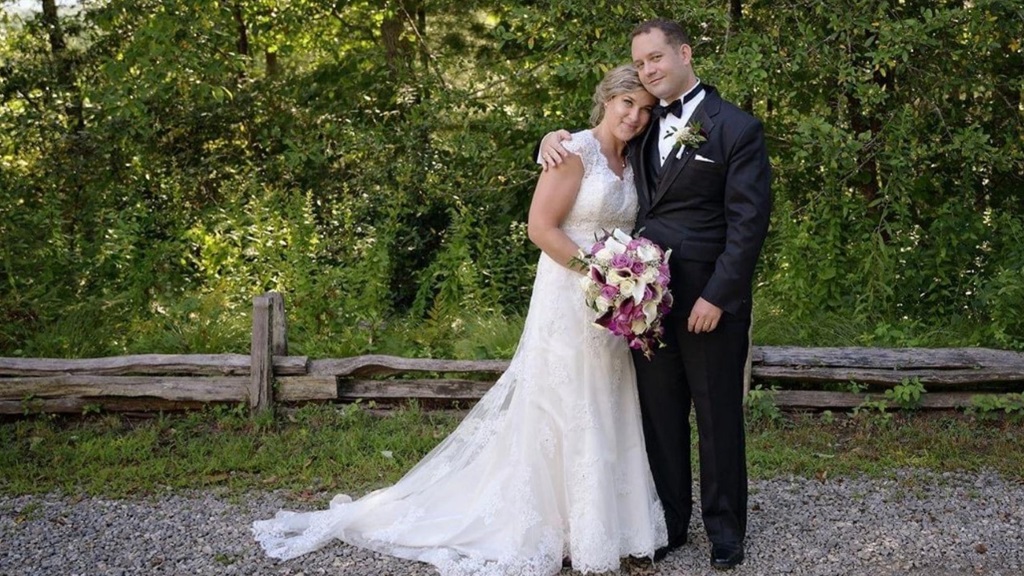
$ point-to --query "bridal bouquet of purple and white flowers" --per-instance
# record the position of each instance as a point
(628, 284)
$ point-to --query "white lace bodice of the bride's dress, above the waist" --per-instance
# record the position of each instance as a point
(606, 201)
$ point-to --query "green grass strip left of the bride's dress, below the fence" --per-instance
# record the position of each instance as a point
(311, 449)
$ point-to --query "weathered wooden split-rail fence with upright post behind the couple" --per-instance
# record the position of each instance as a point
(269, 376)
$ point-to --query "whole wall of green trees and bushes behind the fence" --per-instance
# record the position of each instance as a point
(370, 161)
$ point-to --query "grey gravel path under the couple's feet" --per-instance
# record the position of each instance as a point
(916, 523)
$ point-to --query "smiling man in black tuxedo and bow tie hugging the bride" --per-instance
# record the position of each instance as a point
(706, 195)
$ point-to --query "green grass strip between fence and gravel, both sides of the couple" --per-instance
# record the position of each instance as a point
(316, 451)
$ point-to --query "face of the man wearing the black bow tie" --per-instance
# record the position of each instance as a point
(665, 71)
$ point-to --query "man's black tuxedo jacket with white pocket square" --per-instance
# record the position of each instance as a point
(713, 210)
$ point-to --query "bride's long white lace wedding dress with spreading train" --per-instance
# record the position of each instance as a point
(550, 463)
